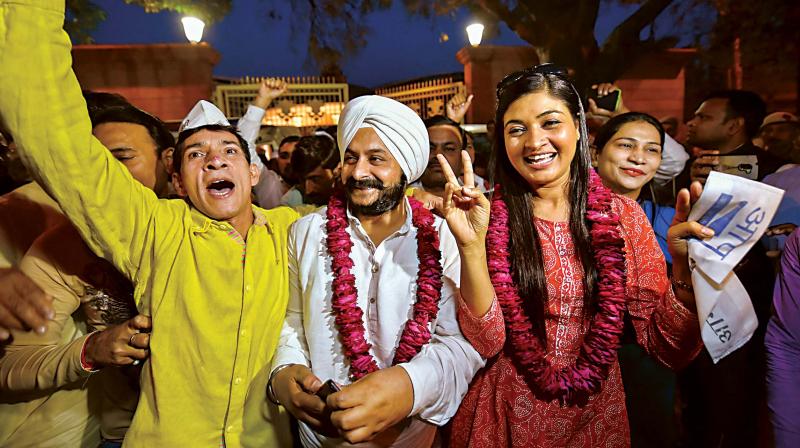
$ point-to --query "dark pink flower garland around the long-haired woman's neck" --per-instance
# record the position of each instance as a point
(572, 384)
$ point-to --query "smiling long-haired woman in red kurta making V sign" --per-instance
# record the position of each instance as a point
(542, 169)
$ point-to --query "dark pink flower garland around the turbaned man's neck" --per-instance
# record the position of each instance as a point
(349, 316)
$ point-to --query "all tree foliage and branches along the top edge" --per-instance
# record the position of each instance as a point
(561, 32)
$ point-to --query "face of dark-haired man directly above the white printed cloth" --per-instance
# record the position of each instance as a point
(709, 128)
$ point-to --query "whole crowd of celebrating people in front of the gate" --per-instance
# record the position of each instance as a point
(383, 283)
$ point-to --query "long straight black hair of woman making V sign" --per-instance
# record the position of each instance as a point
(525, 247)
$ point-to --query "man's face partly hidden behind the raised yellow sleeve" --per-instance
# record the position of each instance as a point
(132, 145)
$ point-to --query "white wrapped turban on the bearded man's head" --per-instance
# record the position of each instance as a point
(399, 128)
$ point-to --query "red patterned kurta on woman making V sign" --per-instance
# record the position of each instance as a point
(500, 410)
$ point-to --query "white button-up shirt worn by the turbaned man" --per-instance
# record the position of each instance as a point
(385, 279)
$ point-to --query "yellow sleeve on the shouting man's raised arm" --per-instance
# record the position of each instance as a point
(42, 105)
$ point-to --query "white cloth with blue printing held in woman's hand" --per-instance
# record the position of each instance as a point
(739, 211)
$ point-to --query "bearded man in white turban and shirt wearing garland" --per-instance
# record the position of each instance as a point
(373, 279)
